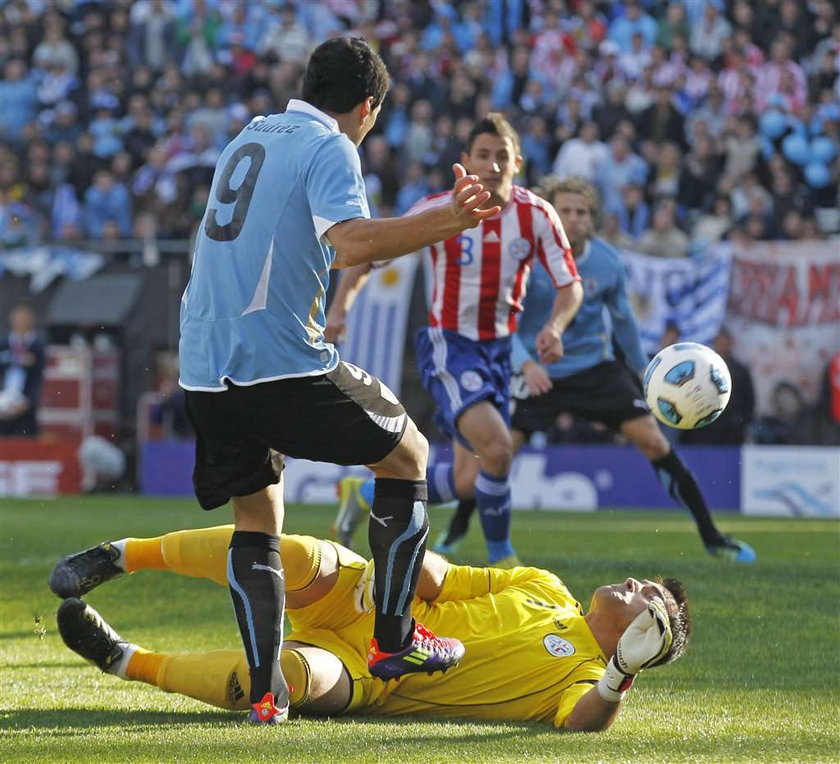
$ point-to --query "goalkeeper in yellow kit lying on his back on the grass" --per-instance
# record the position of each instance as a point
(531, 652)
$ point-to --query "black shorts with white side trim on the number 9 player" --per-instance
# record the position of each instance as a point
(345, 416)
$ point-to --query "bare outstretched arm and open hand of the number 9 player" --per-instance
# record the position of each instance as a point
(362, 240)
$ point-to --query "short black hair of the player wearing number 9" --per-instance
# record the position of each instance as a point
(342, 73)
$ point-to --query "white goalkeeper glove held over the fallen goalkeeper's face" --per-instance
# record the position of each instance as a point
(645, 641)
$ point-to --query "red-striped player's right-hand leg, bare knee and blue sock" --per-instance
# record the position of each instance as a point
(483, 426)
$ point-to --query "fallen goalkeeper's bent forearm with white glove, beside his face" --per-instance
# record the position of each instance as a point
(645, 642)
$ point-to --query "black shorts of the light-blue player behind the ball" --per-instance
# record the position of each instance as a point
(608, 393)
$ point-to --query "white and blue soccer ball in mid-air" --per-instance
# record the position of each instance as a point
(687, 385)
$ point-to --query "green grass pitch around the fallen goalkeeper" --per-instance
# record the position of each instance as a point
(760, 682)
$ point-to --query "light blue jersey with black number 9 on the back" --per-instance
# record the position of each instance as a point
(254, 308)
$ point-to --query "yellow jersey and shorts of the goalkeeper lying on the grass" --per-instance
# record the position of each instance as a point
(529, 652)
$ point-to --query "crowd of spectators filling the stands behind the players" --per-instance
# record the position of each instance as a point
(696, 119)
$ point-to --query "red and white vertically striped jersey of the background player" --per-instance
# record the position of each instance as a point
(480, 275)
